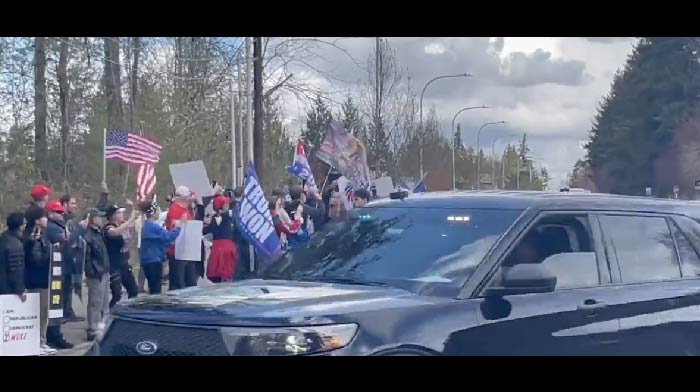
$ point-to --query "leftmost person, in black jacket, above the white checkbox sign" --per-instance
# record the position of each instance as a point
(12, 257)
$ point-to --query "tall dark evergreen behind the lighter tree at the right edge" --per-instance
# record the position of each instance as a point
(650, 97)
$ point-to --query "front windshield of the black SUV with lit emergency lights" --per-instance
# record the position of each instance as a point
(430, 251)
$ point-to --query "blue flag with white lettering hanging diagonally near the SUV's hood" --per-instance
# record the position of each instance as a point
(253, 217)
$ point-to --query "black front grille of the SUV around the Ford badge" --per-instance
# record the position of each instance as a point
(124, 335)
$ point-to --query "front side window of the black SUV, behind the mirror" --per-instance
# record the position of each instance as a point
(567, 235)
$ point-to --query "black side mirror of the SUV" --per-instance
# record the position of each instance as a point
(524, 279)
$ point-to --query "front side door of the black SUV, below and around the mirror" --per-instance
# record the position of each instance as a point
(574, 319)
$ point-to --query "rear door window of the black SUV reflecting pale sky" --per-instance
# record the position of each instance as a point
(643, 246)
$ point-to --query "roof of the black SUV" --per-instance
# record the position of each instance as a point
(543, 200)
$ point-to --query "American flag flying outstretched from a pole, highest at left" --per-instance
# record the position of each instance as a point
(131, 148)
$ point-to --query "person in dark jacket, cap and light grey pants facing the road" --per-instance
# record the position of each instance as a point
(95, 258)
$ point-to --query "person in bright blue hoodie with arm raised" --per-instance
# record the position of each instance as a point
(154, 240)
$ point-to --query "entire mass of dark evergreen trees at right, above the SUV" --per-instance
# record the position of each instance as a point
(645, 133)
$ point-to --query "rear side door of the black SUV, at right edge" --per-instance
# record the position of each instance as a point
(655, 270)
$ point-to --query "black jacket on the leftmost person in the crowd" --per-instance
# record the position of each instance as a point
(11, 264)
